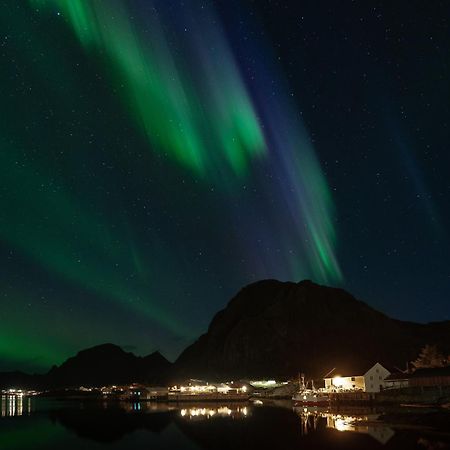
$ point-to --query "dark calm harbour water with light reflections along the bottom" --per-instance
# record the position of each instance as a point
(33, 424)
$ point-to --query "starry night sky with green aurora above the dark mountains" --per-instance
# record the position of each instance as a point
(156, 156)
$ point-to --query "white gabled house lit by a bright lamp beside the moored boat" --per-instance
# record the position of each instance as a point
(366, 379)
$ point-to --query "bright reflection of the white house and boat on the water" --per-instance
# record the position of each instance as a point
(314, 418)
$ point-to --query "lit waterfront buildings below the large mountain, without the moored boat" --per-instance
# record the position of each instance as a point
(377, 384)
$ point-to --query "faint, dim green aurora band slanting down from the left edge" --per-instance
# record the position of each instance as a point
(31, 197)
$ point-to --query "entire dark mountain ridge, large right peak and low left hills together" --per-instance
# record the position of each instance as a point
(298, 327)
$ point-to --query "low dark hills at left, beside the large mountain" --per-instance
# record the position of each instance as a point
(102, 365)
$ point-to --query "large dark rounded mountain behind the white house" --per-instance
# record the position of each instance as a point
(273, 328)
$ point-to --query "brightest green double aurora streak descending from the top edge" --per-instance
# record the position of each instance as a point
(178, 115)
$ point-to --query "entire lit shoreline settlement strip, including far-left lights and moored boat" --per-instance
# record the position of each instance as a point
(425, 381)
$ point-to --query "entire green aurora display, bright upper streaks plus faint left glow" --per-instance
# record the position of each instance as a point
(193, 108)
